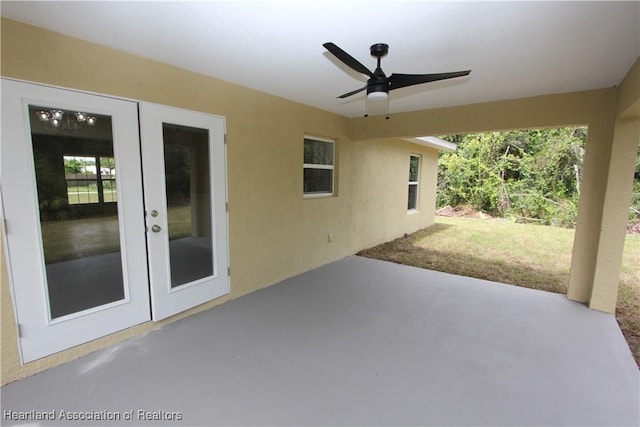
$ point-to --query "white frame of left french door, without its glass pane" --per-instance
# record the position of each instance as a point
(40, 335)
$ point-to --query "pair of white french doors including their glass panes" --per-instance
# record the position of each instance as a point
(79, 240)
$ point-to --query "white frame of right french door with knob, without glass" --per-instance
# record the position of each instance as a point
(165, 300)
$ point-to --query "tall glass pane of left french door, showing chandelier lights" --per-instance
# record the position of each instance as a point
(75, 176)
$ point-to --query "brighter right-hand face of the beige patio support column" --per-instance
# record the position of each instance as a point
(615, 213)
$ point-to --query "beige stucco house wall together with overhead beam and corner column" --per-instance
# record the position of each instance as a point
(265, 172)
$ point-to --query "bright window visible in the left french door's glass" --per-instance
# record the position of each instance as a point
(85, 184)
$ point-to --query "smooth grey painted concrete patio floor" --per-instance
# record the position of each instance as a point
(357, 342)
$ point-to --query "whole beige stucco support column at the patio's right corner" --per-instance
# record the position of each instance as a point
(607, 184)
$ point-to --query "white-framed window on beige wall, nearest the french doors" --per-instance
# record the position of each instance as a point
(318, 167)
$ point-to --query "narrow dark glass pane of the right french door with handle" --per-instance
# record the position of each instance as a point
(188, 189)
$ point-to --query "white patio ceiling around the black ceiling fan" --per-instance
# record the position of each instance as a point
(514, 49)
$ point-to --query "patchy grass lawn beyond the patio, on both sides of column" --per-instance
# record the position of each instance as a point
(531, 256)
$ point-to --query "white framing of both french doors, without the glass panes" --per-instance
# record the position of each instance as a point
(146, 298)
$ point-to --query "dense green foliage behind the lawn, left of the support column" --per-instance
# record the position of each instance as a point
(527, 175)
